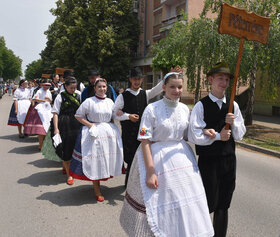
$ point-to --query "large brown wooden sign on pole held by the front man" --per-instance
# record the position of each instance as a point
(241, 24)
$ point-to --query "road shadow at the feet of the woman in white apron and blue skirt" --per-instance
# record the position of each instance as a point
(82, 195)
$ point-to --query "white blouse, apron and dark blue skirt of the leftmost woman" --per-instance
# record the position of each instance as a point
(22, 96)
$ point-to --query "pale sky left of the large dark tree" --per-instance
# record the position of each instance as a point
(22, 23)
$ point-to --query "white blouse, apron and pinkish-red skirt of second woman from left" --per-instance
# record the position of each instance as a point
(39, 117)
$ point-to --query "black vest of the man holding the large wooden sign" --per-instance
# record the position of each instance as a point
(214, 117)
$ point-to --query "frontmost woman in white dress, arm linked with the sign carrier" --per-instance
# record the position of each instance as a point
(165, 194)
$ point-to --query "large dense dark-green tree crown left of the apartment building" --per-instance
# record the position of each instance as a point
(92, 33)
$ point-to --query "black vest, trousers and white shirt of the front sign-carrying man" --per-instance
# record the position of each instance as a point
(217, 161)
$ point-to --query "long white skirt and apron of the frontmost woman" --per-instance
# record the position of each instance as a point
(178, 207)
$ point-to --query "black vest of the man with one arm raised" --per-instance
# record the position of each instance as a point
(133, 105)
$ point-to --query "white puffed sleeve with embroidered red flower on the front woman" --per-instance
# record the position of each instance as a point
(147, 124)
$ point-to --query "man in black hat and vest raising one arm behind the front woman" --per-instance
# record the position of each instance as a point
(132, 102)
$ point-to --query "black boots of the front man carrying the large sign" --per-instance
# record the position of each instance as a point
(220, 223)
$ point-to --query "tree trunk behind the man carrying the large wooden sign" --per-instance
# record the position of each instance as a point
(250, 106)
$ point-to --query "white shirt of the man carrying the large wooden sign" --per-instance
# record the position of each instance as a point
(197, 124)
